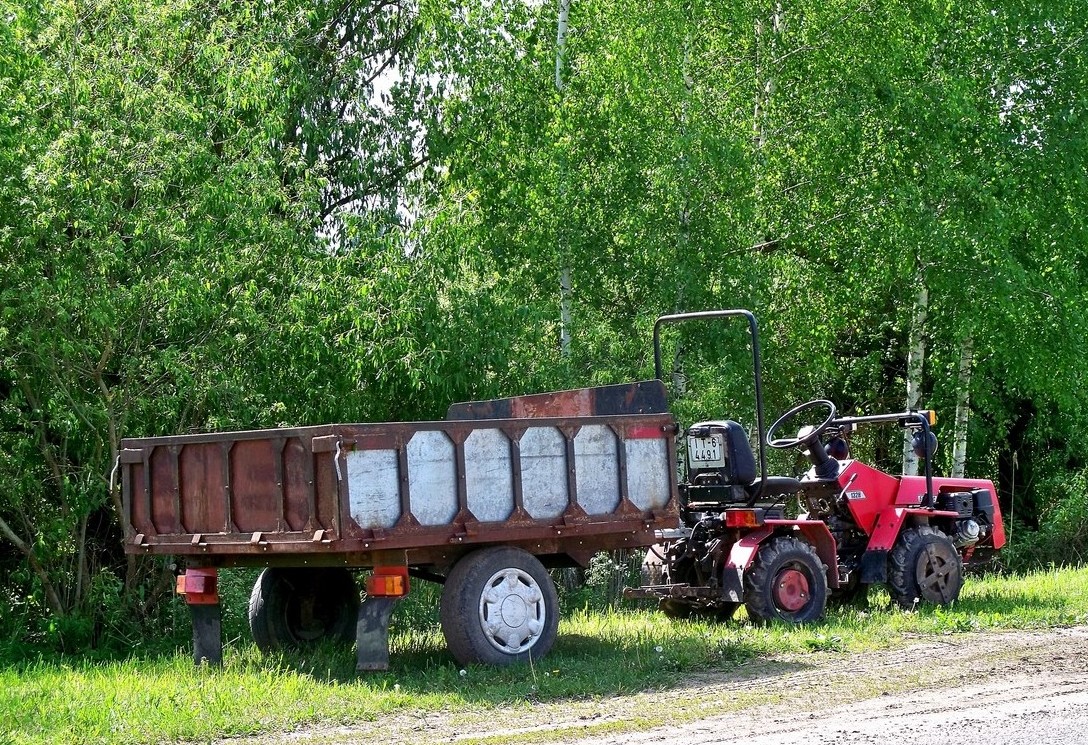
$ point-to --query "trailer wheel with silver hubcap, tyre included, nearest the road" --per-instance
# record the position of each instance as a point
(499, 607)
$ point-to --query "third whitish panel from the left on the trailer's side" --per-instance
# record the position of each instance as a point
(489, 476)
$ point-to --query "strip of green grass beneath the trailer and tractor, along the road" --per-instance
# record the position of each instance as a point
(165, 699)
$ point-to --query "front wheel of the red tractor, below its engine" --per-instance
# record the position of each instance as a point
(924, 567)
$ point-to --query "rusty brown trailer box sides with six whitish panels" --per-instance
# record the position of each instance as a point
(365, 495)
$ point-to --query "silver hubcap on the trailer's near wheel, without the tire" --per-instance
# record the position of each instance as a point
(512, 611)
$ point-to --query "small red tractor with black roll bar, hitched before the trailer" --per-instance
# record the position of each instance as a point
(854, 525)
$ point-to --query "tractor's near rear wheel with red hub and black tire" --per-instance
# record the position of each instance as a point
(787, 582)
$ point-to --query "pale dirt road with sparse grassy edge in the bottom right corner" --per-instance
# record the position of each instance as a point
(1004, 689)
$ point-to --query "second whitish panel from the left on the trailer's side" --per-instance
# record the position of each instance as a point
(432, 478)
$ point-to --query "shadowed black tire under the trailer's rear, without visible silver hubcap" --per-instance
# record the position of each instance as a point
(299, 609)
